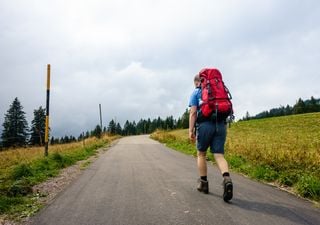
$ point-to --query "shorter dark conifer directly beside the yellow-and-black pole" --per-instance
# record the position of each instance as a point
(38, 125)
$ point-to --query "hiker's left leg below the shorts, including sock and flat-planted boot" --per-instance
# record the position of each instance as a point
(202, 167)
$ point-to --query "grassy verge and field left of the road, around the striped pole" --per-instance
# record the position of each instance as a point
(21, 169)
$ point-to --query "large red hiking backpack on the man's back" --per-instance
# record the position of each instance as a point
(215, 96)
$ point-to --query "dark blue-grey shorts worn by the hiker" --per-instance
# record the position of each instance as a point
(213, 135)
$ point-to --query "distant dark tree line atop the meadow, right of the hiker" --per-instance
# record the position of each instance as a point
(301, 106)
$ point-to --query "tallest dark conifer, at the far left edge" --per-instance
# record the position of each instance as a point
(15, 126)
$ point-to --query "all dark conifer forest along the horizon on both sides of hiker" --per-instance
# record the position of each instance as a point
(17, 133)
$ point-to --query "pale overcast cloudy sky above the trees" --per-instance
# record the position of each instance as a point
(137, 58)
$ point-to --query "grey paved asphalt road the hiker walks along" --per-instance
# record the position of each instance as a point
(139, 181)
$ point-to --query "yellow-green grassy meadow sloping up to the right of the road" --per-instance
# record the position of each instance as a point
(281, 150)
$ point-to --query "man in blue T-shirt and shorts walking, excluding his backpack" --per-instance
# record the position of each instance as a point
(208, 133)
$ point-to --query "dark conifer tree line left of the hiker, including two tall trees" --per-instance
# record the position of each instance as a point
(16, 132)
